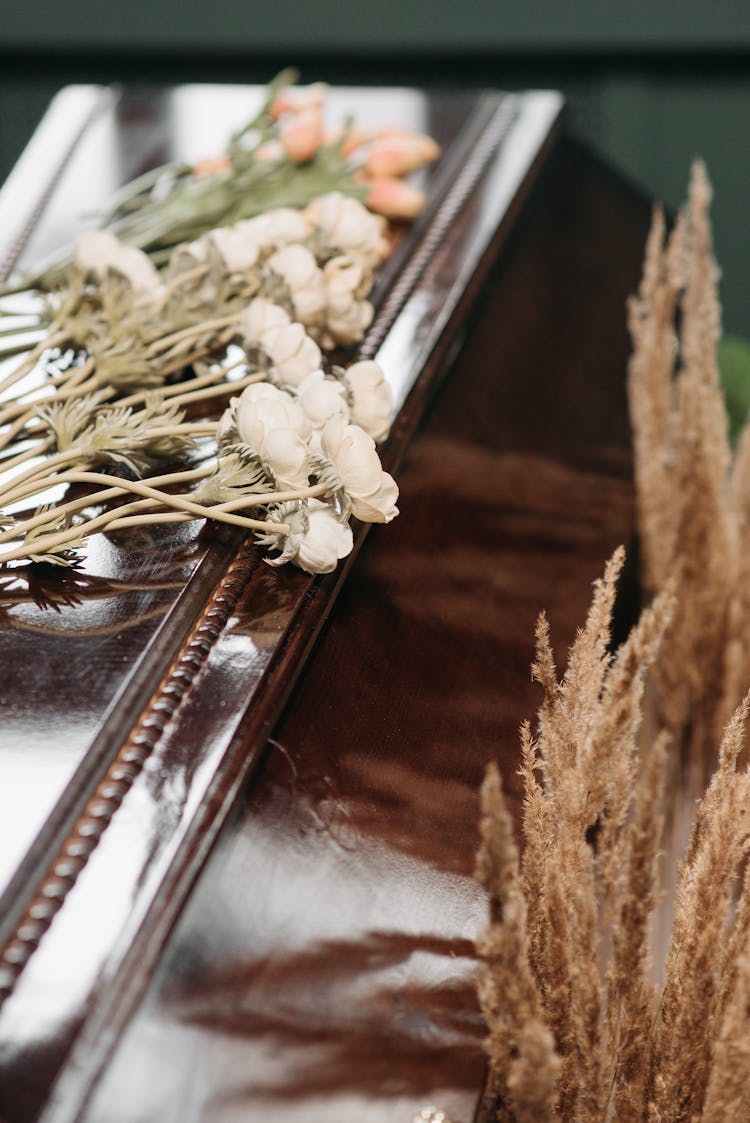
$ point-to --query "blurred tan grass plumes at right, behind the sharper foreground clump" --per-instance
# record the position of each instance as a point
(692, 513)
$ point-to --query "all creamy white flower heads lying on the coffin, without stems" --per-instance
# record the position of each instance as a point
(312, 432)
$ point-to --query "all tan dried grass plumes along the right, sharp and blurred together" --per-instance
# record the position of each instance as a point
(566, 954)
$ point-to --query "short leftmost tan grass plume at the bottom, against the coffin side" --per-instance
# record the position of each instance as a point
(524, 1061)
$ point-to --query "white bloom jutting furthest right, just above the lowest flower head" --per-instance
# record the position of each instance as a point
(352, 452)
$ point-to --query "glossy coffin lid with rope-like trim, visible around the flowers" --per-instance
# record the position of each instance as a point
(135, 696)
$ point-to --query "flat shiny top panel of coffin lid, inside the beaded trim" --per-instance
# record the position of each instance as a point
(108, 633)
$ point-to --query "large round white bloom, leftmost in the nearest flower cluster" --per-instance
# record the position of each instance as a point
(276, 427)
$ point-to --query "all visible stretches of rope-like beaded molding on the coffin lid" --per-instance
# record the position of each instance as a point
(83, 842)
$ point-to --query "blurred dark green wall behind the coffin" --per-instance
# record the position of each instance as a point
(650, 86)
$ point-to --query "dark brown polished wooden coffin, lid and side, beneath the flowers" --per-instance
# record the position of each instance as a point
(240, 806)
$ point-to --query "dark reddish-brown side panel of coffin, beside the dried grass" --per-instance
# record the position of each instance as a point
(323, 970)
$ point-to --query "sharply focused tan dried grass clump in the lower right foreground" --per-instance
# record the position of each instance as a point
(578, 1029)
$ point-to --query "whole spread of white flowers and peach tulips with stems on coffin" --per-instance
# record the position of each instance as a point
(193, 355)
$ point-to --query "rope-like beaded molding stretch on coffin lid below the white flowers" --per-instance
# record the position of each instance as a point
(123, 771)
